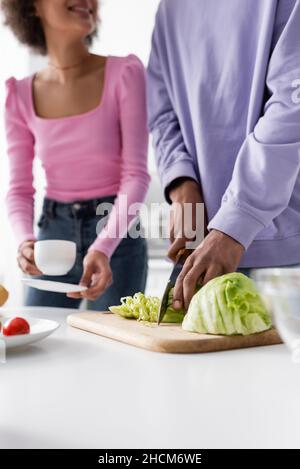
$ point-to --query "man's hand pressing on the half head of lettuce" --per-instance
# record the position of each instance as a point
(218, 254)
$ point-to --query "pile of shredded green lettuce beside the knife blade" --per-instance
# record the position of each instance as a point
(145, 308)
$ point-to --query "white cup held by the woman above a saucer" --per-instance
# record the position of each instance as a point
(54, 257)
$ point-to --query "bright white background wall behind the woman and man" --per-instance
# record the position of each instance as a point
(126, 28)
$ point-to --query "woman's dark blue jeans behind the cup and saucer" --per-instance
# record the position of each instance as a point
(77, 222)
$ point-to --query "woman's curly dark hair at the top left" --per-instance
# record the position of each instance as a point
(27, 27)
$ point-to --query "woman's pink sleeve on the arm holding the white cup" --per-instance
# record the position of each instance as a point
(20, 147)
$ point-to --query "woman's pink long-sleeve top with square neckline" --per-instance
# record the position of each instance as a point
(86, 156)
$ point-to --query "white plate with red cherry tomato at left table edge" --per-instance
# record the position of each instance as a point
(39, 329)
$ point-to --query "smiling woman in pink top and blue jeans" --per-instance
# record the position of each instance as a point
(85, 117)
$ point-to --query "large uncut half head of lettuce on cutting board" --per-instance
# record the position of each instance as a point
(227, 305)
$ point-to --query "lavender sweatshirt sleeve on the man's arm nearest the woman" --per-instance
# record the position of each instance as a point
(172, 158)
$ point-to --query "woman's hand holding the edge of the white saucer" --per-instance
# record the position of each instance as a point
(97, 276)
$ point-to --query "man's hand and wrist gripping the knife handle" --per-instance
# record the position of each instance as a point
(187, 191)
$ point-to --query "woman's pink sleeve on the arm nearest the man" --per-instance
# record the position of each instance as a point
(134, 178)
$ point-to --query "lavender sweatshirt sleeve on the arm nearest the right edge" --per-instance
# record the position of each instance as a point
(268, 163)
